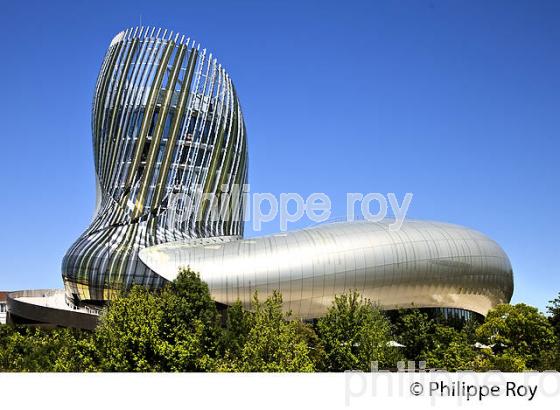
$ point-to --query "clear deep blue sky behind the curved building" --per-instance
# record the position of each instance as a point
(457, 102)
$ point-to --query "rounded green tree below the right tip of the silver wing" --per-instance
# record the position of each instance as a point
(520, 337)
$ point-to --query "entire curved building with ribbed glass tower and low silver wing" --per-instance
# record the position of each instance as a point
(170, 155)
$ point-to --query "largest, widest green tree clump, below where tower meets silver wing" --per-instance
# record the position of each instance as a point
(174, 330)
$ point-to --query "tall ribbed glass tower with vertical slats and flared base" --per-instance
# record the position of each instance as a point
(166, 122)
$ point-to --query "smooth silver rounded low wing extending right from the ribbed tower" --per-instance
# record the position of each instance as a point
(423, 265)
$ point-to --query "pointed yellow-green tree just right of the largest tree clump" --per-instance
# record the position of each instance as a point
(272, 343)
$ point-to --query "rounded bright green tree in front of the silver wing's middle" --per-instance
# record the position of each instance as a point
(355, 333)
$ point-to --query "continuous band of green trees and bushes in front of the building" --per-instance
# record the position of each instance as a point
(179, 328)
